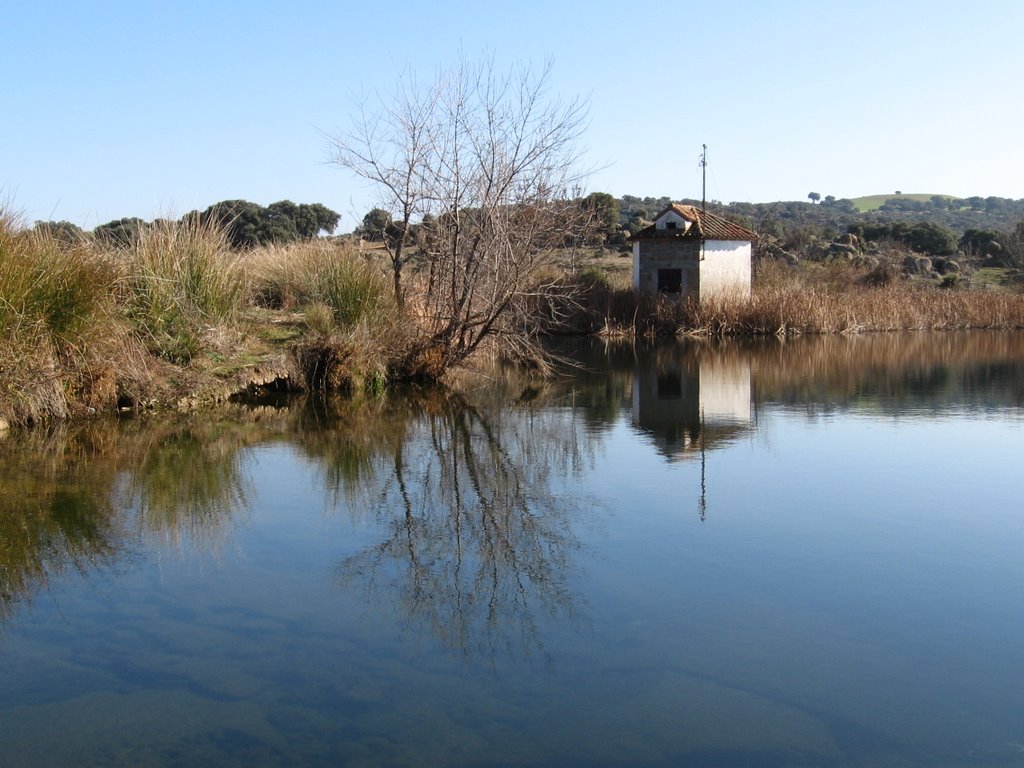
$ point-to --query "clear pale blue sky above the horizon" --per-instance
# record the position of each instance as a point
(150, 109)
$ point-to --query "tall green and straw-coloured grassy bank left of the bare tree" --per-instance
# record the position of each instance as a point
(179, 319)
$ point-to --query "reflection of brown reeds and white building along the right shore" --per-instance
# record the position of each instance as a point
(892, 373)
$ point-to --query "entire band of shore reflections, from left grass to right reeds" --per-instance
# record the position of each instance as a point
(480, 535)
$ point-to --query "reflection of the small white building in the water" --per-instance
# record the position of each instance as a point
(691, 402)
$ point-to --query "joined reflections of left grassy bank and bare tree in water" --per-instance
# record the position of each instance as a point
(478, 539)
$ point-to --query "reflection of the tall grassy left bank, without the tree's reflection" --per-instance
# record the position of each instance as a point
(78, 498)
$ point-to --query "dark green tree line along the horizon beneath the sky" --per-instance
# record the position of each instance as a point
(940, 226)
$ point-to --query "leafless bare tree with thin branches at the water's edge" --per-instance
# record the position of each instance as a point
(492, 163)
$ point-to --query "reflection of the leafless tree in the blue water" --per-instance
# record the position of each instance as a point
(479, 544)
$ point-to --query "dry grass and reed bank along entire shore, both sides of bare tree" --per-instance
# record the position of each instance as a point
(179, 319)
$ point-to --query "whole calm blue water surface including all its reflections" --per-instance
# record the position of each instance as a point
(807, 553)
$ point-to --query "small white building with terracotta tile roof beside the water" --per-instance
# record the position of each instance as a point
(692, 253)
